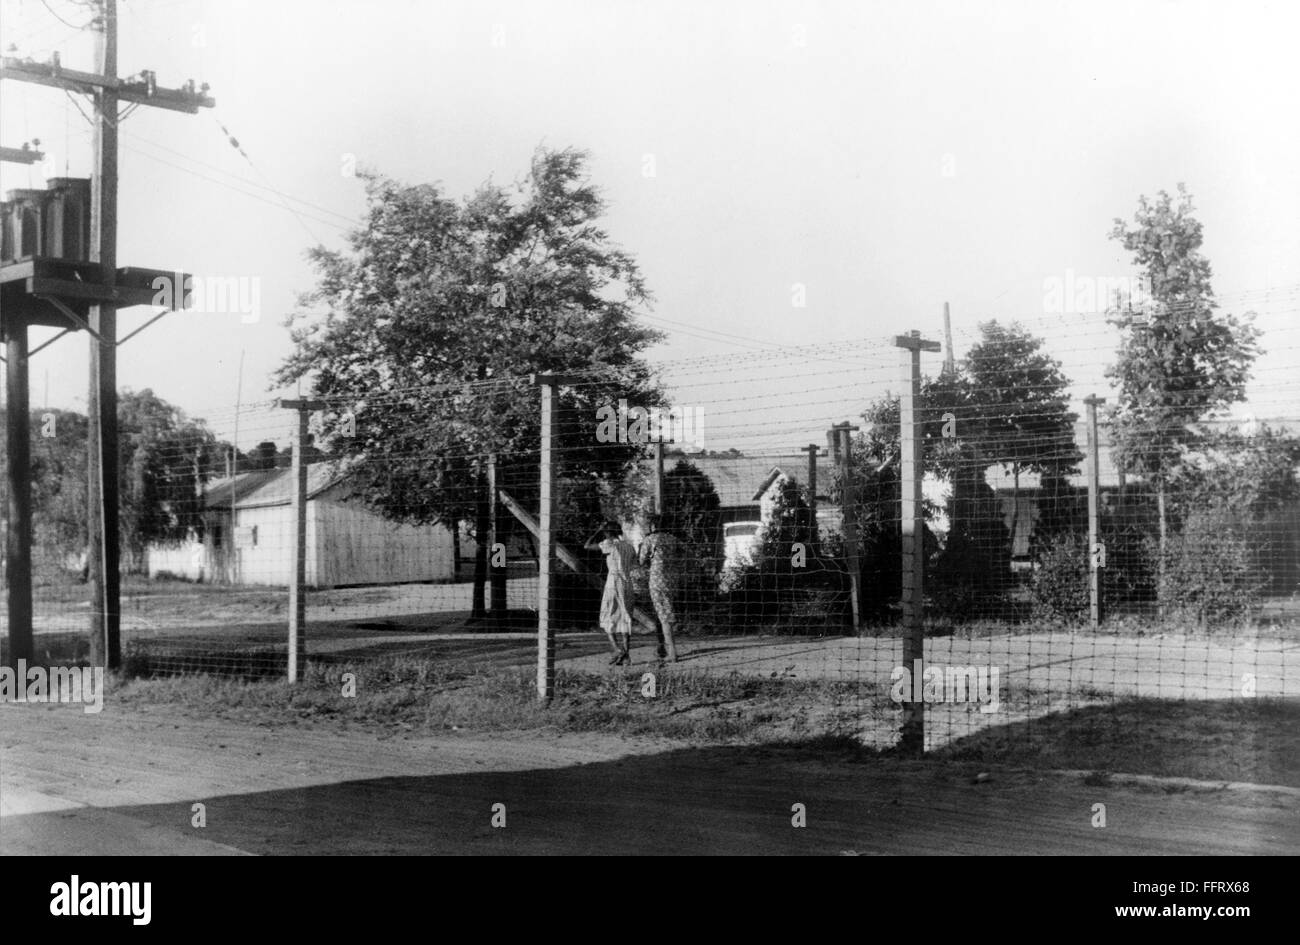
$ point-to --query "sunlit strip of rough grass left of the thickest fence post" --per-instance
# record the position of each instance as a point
(411, 695)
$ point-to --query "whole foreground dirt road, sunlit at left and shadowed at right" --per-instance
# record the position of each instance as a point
(125, 782)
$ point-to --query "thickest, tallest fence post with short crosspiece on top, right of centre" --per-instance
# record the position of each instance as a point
(912, 515)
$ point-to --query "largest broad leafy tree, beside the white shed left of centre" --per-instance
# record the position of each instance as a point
(424, 336)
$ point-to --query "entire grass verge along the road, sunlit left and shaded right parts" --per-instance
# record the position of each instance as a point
(1241, 740)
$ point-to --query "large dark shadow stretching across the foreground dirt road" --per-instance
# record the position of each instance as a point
(720, 801)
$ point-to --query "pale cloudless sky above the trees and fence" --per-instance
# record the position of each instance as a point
(822, 175)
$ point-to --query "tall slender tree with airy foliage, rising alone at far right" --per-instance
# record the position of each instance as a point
(1180, 361)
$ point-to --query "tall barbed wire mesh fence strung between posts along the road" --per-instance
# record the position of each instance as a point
(734, 518)
